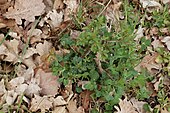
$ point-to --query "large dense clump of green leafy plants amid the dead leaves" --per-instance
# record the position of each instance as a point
(96, 49)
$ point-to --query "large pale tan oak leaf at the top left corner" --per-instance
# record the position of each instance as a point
(25, 9)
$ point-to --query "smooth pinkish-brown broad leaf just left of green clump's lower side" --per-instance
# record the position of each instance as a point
(48, 82)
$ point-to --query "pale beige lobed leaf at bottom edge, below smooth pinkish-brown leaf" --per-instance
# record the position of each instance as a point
(41, 103)
